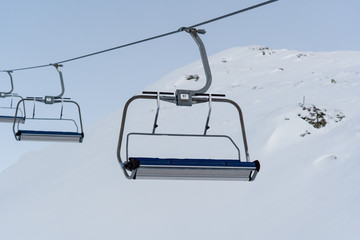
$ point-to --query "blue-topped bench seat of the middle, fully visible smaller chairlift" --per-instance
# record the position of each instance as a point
(49, 136)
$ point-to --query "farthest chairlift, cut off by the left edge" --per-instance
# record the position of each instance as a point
(7, 111)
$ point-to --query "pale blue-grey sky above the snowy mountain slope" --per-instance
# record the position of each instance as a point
(42, 32)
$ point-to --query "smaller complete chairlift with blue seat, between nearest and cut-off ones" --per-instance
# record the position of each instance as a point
(75, 134)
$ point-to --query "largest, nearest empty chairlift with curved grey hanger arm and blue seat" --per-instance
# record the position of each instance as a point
(149, 167)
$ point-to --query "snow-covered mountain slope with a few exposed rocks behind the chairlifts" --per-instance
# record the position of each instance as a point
(307, 188)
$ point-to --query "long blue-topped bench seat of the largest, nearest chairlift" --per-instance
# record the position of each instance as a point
(194, 169)
